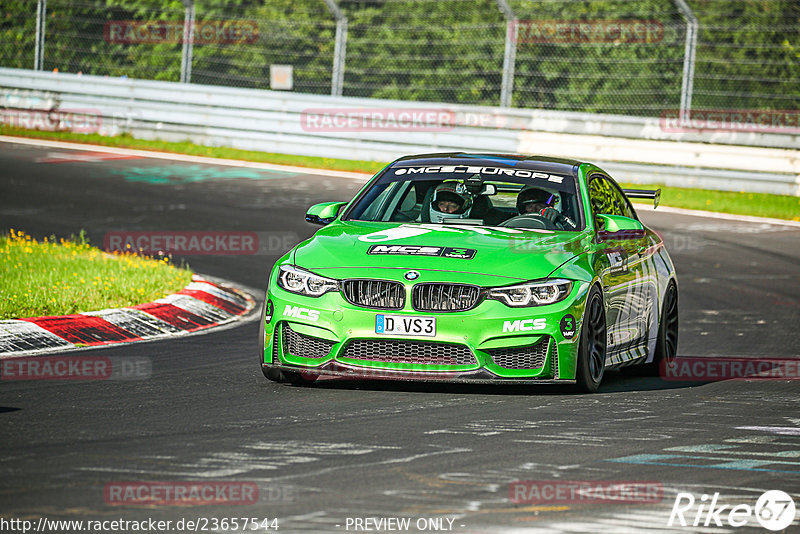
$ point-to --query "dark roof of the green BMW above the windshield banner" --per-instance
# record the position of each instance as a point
(519, 161)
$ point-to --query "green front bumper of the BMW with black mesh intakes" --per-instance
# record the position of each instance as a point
(489, 343)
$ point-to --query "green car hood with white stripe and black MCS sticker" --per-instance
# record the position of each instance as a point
(513, 254)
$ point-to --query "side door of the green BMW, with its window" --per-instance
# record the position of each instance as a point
(624, 269)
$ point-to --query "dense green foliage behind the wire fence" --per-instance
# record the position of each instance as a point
(748, 54)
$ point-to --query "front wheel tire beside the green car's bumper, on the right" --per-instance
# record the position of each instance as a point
(592, 344)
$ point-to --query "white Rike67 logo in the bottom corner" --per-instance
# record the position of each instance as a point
(774, 510)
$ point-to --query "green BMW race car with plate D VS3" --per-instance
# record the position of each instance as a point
(474, 268)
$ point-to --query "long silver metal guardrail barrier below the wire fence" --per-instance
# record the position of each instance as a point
(633, 148)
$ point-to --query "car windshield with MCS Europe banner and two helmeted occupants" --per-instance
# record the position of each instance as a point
(468, 195)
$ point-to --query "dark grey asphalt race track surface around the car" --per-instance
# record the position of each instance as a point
(341, 450)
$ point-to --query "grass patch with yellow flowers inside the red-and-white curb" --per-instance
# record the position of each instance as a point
(70, 276)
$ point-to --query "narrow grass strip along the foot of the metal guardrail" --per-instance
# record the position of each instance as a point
(756, 204)
